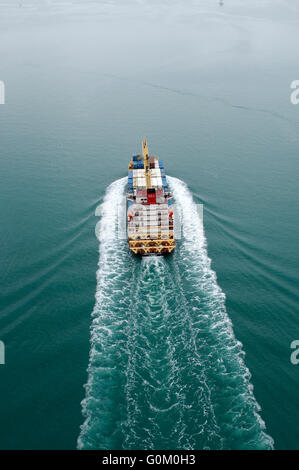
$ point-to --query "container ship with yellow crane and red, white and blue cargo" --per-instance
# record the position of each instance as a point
(150, 215)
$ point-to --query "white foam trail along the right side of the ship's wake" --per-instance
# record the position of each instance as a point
(225, 355)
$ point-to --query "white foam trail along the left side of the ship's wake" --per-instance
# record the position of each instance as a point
(108, 325)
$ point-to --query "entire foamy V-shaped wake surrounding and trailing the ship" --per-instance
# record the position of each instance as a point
(165, 369)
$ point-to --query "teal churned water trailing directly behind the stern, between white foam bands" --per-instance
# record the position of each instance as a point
(165, 381)
